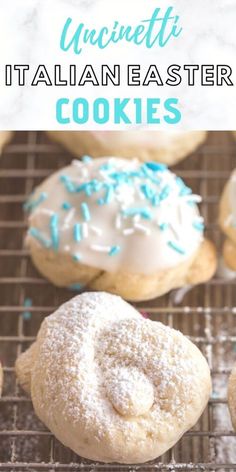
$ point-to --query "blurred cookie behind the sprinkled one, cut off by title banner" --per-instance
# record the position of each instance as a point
(159, 146)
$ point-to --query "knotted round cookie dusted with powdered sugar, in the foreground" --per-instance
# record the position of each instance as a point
(111, 385)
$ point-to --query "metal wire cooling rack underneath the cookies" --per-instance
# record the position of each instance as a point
(207, 314)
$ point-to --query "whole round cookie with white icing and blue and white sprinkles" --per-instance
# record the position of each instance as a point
(119, 226)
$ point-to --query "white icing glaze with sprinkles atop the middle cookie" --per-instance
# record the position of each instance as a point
(145, 246)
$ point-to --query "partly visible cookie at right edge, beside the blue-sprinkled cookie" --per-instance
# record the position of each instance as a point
(227, 221)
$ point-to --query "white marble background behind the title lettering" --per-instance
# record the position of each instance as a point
(30, 33)
